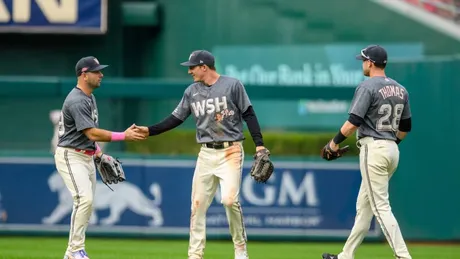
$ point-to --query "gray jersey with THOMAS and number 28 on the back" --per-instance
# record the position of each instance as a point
(382, 103)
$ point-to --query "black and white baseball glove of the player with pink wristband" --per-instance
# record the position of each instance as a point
(110, 169)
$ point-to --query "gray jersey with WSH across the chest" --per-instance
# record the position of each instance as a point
(217, 109)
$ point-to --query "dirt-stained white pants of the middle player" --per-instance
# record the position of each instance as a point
(214, 167)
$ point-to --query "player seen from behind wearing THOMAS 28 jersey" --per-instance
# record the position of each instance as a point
(380, 111)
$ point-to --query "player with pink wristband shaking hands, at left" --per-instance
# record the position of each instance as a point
(78, 133)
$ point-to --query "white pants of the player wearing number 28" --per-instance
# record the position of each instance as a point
(378, 161)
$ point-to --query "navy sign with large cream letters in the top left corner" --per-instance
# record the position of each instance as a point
(53, 16)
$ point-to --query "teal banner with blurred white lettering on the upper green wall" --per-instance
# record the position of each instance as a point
(322, 65)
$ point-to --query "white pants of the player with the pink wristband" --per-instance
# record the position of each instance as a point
(79, 174)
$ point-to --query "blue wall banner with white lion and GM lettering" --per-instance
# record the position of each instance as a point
(302, 199)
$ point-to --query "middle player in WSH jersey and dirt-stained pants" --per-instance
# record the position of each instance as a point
(218, 104)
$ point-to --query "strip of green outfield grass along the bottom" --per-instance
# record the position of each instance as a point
(97, 248)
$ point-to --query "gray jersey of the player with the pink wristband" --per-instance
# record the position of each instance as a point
(78, 112)
